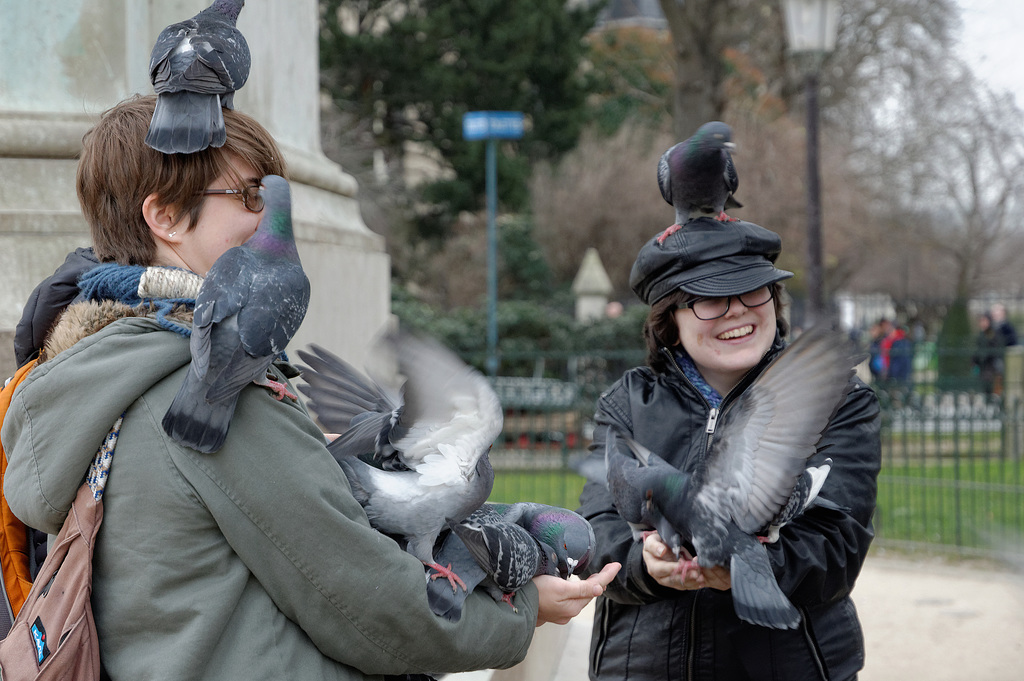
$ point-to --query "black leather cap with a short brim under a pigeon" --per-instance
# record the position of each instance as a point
(707, 258)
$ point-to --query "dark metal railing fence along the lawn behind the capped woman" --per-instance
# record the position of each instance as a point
(953, 471)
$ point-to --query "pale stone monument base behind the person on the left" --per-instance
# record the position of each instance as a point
(64, 62)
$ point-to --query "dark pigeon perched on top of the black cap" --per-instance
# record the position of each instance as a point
(697, 176)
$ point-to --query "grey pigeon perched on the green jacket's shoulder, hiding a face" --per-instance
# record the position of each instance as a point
(251, 304)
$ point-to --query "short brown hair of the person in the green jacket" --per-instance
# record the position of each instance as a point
(117, 172)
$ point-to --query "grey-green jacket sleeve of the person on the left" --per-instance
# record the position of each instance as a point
(286, 508)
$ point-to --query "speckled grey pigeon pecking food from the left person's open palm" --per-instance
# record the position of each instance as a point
(503, 546)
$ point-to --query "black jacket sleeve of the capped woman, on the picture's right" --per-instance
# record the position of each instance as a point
(820, 555)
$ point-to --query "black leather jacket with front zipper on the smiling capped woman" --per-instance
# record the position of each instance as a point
(644, 631)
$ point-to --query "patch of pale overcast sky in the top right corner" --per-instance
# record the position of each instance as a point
(993, 42)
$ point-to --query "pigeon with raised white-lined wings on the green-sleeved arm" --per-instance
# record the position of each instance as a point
(415, 461)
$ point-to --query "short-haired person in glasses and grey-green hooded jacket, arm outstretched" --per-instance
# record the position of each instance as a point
(253, 563)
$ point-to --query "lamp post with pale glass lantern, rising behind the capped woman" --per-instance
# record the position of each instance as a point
(812, 28)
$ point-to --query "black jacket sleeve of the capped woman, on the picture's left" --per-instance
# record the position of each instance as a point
(615, 538)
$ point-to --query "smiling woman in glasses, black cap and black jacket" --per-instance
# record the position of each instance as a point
(715, 324)
